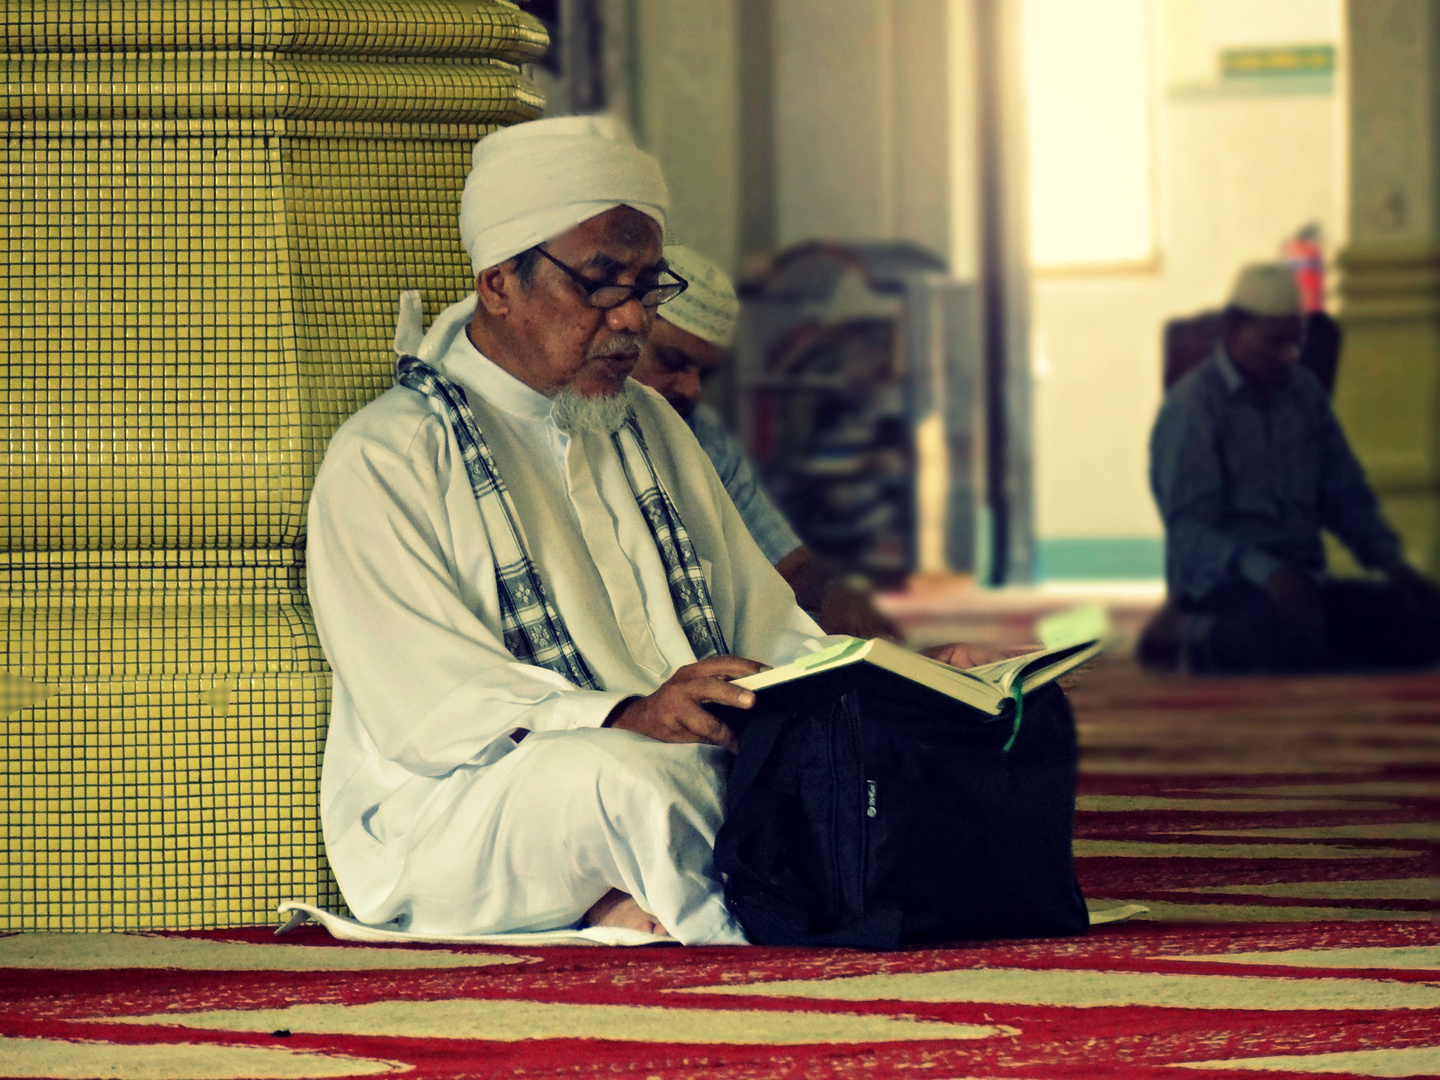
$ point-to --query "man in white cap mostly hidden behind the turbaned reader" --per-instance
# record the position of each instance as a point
(692, 341)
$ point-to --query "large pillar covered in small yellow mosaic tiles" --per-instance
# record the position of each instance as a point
(211, 210)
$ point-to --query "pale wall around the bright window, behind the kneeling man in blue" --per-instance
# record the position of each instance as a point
(1235, 176)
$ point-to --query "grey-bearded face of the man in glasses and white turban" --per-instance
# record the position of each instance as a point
(559, 341)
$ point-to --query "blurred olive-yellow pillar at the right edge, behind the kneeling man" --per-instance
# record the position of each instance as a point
(1389, 384)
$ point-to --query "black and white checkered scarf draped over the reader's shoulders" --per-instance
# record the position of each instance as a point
(532, 627)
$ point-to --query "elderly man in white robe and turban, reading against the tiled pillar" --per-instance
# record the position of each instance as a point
(531, 582)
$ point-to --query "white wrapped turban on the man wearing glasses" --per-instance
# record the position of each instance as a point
(532, 182)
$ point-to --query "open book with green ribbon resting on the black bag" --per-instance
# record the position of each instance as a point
(987, 688)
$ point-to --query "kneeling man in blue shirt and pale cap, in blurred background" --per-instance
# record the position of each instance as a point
(1248, 466)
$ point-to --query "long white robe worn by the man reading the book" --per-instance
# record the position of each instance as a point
(433, 816)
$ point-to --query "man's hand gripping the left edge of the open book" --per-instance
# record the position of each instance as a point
(676, 712)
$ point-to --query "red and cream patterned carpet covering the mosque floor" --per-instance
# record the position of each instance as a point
(1282, 836)
